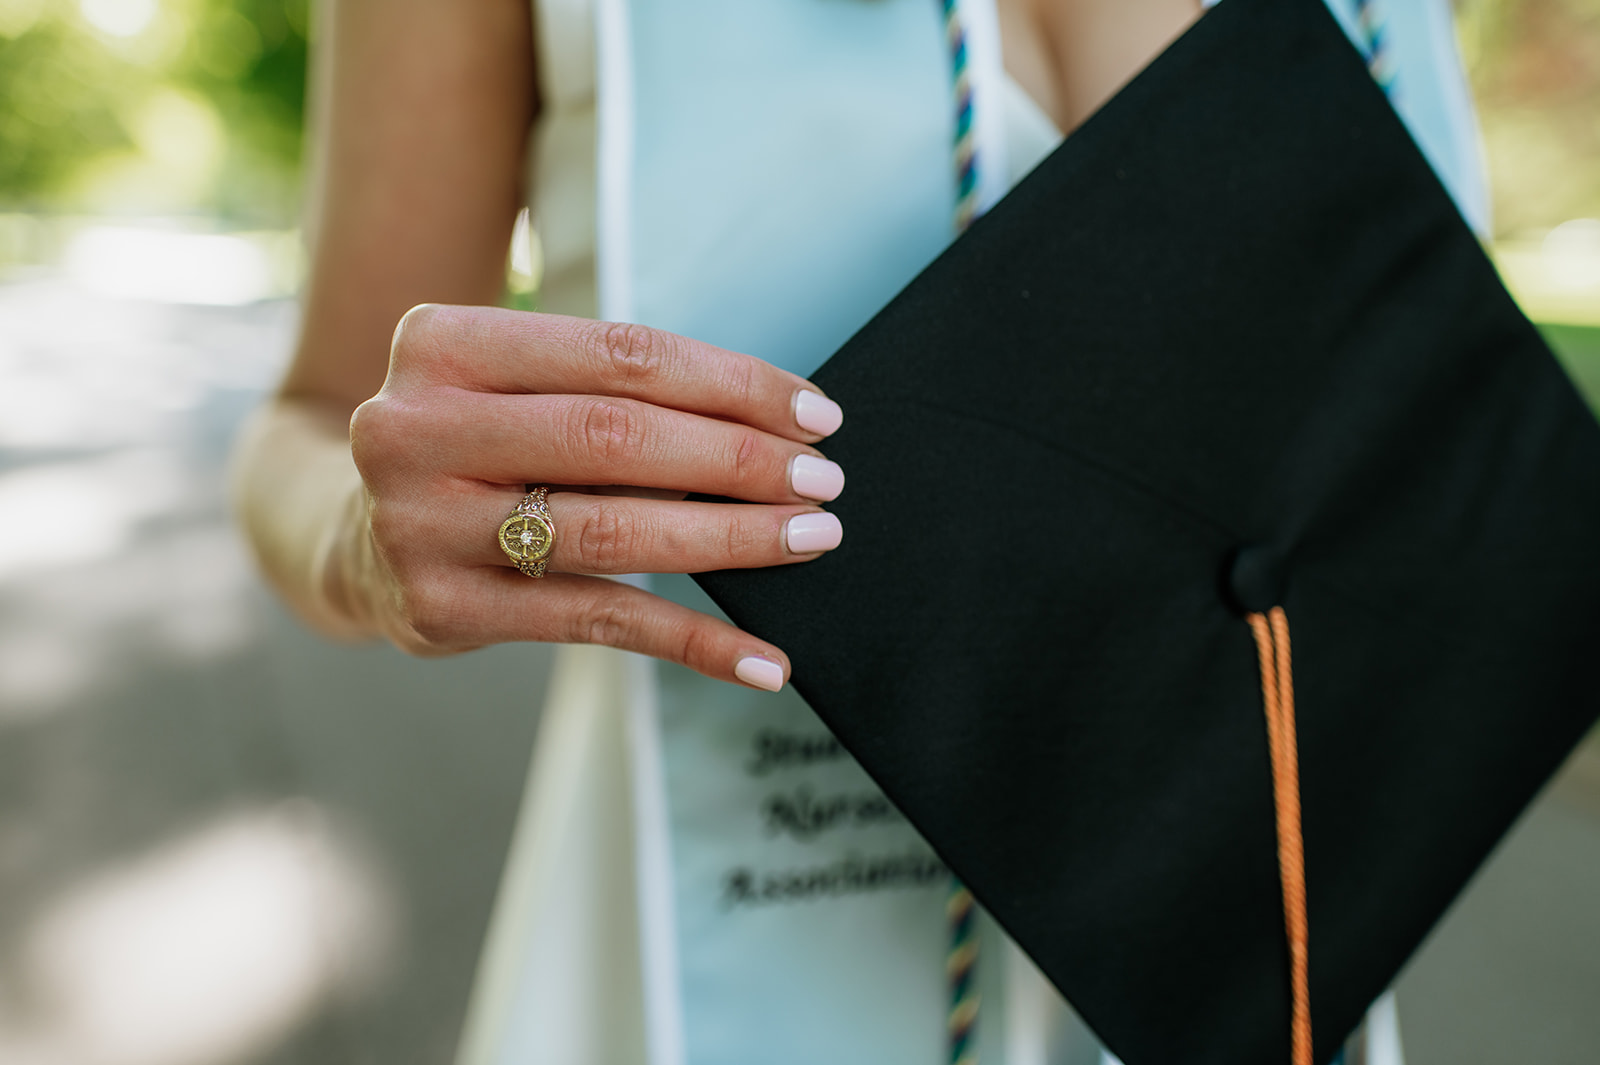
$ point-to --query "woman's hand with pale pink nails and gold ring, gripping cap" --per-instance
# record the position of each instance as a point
(482, 402)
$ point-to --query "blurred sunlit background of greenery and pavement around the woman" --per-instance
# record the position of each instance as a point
(223, 842)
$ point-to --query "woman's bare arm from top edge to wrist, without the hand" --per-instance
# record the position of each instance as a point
(420, 111)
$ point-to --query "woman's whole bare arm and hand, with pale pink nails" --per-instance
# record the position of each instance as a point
(420, 130)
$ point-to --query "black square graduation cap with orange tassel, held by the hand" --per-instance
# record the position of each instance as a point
(1230, 349)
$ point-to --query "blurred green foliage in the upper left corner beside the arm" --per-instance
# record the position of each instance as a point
(153, 106)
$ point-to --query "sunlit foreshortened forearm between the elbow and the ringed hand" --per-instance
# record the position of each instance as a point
(302, 505)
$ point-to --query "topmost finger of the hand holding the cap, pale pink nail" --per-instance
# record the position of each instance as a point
(490, 349)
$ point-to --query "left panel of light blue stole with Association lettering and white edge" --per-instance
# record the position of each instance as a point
(788, 170)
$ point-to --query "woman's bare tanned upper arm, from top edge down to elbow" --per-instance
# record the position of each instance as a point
(422, 113)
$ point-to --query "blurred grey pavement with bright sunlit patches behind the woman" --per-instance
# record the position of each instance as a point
(225, 842)
